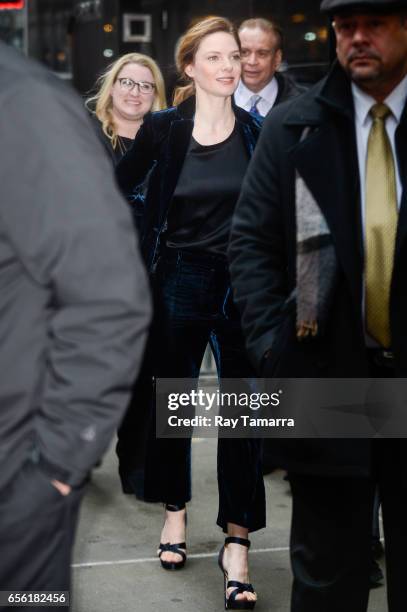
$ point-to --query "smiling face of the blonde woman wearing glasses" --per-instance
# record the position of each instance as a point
(128, 98)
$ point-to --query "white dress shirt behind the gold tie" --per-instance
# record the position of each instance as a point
(363, 122)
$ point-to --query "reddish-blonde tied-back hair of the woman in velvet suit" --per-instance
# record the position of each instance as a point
(188, 45)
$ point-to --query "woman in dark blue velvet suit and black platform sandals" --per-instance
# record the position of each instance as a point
(197, 153)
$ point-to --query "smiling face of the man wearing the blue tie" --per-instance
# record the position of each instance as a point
(260, 57)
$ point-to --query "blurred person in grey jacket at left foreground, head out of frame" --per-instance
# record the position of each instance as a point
(74, 316)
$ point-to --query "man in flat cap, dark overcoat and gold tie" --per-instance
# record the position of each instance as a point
(318, 258)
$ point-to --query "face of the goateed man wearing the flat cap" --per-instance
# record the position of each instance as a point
(372, 48)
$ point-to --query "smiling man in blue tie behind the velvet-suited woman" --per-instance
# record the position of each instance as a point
(261, 86)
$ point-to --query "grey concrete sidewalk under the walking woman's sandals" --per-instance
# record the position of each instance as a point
(115, 568)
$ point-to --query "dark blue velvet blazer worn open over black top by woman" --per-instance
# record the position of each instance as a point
(160, 148)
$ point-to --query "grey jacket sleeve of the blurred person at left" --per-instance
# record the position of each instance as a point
(73, 234)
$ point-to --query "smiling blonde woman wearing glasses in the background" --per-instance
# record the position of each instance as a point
(131, 87)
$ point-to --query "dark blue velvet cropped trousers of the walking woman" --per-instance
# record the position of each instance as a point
(194, 306)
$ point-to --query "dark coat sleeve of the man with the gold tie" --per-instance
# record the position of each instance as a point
(257, 251)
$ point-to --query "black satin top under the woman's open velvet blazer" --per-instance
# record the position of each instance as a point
(206, 194)
